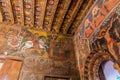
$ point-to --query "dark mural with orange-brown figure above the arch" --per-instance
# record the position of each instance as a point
(108, 38)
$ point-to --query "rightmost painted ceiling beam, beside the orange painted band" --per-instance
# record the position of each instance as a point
(80, 15)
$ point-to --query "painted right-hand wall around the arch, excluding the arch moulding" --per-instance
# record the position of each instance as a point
(105, 33)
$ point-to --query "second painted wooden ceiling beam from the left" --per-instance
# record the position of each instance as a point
(17, 7)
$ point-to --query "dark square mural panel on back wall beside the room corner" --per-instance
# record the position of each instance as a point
(61, 48)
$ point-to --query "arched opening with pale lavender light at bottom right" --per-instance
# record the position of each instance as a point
(108, 72)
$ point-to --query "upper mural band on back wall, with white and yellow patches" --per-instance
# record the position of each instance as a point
(20, 39)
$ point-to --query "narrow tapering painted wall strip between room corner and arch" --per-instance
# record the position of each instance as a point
(82, 50)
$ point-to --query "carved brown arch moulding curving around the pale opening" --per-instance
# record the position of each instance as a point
(93, 62)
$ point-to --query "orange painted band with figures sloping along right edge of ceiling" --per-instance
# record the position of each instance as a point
(95, 16)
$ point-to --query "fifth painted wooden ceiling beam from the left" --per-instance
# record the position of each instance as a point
(50, 12)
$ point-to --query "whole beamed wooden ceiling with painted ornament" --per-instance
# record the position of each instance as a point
(56, 16)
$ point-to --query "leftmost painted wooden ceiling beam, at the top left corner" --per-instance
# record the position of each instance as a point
(6, 10)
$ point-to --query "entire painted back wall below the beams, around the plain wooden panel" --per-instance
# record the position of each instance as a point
(43, 53)
